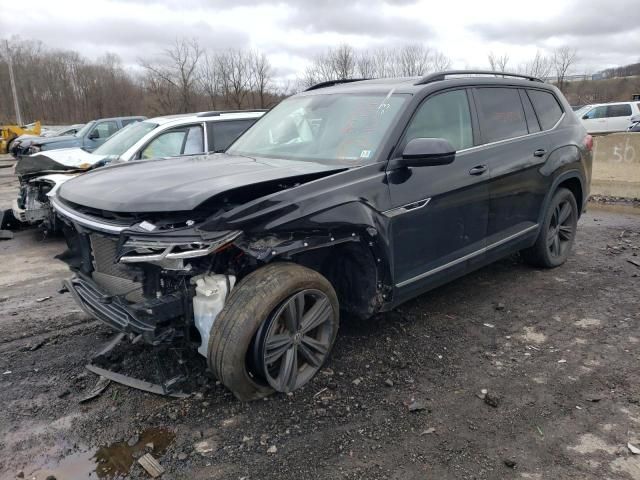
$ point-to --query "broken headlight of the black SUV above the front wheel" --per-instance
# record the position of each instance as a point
(139, 250)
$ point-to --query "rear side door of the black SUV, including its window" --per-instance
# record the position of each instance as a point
(514, 146)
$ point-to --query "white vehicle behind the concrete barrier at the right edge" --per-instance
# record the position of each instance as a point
(608, 117)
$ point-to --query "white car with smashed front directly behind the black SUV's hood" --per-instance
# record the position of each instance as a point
(41, 174)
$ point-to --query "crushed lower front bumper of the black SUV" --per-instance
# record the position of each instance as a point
(150, 318)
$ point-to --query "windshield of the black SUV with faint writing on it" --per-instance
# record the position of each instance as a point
(343, 128)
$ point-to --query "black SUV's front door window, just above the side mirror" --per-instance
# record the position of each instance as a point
(445, 115)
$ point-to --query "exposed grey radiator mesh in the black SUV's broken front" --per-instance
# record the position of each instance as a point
(113, 277)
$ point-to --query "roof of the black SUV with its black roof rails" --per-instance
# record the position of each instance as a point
(416, 84)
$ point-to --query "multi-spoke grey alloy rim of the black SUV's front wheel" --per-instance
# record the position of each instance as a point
(295, 341)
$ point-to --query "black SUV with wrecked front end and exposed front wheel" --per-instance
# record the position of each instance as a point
(350, 197)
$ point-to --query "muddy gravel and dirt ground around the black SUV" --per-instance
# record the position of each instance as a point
(557, 351)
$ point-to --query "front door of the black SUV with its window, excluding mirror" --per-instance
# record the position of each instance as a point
(439, 215)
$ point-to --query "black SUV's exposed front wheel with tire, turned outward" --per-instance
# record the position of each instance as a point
(275, 331)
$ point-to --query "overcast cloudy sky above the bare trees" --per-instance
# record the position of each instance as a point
(605, 32)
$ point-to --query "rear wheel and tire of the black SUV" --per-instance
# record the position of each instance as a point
(557, 233)
